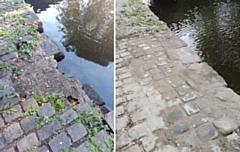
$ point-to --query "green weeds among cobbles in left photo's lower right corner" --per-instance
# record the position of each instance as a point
(93, 123)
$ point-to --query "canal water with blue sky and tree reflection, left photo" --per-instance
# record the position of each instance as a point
(83, 29)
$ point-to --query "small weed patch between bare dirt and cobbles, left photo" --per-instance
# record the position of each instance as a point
(55, 100)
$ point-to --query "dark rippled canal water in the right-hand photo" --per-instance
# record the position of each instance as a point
(209, 27)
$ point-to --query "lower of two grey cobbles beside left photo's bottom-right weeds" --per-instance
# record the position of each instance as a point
(76, 131)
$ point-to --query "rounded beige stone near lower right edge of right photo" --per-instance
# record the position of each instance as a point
(225, 125)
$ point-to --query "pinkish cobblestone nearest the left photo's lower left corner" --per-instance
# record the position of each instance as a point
(12, 132)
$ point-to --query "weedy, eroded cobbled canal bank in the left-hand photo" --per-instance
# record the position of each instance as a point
(40, 108)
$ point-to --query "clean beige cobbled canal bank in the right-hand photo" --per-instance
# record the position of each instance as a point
(167, 98)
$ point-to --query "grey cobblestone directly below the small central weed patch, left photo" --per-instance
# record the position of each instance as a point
(46, 110)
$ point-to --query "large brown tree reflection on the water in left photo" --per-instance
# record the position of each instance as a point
(88, 29)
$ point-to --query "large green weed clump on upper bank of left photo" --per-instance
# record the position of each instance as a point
(18, 32)
